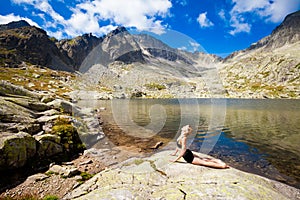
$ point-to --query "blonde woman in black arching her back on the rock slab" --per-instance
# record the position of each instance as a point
(189, 157)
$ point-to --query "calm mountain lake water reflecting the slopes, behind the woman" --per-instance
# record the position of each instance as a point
(258, 136)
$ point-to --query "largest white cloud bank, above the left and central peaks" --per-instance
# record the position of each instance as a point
(142, 14)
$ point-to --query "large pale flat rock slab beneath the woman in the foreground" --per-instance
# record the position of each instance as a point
(156, 178)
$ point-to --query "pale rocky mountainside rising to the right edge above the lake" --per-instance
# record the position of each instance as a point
(269, 68)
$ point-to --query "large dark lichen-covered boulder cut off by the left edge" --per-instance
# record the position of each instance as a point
(16, 150)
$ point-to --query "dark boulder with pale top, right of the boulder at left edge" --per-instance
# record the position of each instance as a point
(48, 145)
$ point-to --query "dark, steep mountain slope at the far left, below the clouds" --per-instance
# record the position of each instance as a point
(20, 42)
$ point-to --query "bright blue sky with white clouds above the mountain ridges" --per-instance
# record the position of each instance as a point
(218, 26)
